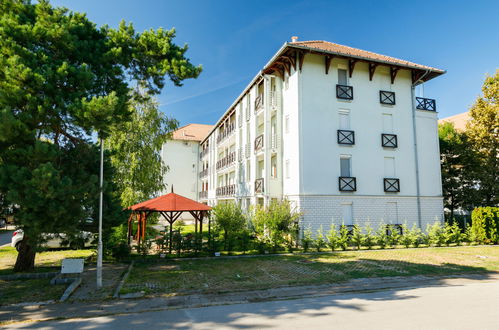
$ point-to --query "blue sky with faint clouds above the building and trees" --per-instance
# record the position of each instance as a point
(234, 39)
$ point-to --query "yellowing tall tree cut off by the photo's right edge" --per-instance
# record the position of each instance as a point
(483, 133)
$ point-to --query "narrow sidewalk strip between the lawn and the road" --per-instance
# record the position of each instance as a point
(124, 306)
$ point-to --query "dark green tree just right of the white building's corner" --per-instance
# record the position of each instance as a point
(458, 165)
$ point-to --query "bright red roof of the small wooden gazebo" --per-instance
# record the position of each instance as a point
(170, 202)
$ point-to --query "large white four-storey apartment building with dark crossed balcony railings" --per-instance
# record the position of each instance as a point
(336, 130)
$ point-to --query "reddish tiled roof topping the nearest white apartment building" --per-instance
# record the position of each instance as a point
(355, 52)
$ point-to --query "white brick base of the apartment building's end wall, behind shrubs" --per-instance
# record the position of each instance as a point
(324, 210)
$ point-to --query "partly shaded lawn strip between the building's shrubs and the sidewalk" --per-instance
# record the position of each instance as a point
(213, 275)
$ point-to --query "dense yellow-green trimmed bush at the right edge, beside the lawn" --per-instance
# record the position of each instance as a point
(485, 224)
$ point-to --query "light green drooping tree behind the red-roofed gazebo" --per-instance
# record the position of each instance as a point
(135, 150)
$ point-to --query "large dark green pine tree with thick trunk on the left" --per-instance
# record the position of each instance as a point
(61, 79)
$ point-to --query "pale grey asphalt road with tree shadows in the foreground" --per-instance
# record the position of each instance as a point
(468, 306)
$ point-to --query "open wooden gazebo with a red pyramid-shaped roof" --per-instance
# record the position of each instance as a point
(171, 206)
